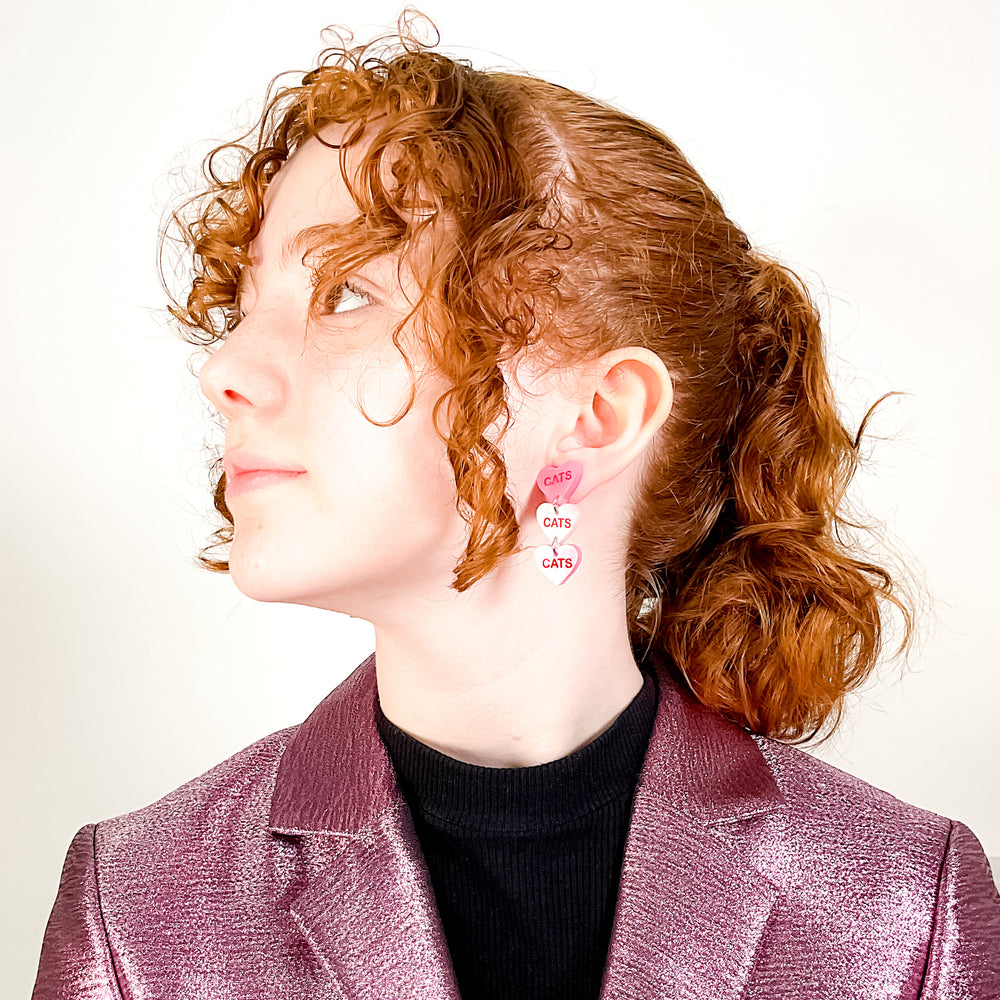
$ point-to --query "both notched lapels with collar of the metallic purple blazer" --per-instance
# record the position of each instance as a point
(692, 902)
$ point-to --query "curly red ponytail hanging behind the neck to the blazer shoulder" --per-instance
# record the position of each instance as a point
(768, 618)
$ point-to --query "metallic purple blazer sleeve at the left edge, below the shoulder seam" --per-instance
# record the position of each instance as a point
(76, 962)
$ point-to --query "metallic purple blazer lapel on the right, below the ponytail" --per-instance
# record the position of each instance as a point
(692, 907)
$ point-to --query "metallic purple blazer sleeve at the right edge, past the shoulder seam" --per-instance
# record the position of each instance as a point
(963, 962)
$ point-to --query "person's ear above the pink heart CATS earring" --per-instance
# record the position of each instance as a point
(627, 396)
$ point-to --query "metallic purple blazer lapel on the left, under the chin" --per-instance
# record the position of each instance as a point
(367, 909)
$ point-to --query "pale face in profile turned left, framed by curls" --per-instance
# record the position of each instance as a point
(330, 510)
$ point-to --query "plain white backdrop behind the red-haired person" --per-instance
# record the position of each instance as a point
(854, 139)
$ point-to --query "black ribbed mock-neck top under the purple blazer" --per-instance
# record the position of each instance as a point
(525, 862)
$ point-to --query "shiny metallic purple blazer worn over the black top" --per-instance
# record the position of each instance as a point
(751, 870)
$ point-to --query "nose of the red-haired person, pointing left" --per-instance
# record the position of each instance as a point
(242, 377)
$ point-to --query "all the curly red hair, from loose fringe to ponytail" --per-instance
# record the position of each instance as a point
(564, 225)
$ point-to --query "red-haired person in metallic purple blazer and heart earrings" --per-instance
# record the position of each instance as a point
(500, 376)
